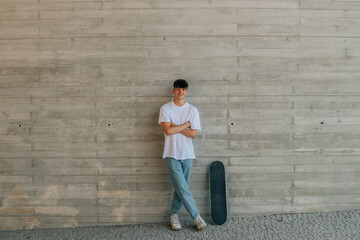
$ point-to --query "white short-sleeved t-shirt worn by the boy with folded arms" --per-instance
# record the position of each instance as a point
(179, 146)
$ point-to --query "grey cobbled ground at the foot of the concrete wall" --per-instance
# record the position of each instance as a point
(334, 225)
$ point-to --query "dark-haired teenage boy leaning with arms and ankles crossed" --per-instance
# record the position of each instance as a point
(180, 121)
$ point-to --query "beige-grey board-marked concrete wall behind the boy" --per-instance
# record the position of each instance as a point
(81, 83)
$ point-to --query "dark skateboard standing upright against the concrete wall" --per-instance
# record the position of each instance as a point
(218, 193)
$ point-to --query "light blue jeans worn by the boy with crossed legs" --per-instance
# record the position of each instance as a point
(180, 174)
